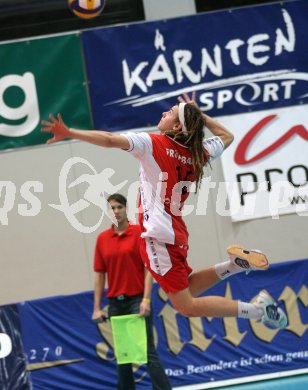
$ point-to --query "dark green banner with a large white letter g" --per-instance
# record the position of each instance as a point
(39, 77)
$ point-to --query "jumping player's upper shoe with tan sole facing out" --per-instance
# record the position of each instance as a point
(247, 259)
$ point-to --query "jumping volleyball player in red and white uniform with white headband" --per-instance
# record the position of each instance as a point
(172, 160)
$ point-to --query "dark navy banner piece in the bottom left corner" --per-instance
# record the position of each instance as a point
(13, 373)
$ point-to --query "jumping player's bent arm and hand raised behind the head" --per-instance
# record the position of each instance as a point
(216, 128)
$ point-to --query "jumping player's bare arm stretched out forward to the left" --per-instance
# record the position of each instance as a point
(61, 131)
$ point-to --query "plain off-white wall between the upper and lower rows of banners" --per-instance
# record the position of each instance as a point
(44, 255)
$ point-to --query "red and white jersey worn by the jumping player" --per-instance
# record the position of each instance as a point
(166, 173)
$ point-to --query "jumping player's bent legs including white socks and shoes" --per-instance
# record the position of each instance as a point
(264, 309)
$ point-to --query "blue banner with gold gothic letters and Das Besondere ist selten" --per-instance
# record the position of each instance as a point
(66, 350)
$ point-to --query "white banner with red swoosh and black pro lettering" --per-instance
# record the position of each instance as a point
(266, 166)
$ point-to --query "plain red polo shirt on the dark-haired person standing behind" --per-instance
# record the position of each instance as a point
(119, 257)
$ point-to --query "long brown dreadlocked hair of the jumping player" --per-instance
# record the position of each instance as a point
(193, 139)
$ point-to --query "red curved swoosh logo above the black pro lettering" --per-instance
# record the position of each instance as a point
(246, 142)
